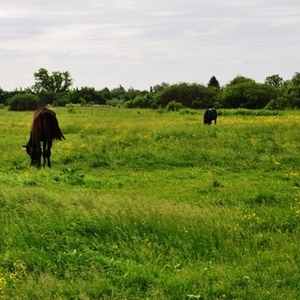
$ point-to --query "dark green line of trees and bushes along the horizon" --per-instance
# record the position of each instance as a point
(241, 92)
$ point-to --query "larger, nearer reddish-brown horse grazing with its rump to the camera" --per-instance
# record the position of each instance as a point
(45, 129)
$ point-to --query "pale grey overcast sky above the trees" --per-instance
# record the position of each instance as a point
(139, 43)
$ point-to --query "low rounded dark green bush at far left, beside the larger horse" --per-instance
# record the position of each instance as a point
(23, 102)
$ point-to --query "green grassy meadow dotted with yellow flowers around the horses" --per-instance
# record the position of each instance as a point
(144, 204)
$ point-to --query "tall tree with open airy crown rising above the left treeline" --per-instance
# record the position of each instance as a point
(55, 82)
